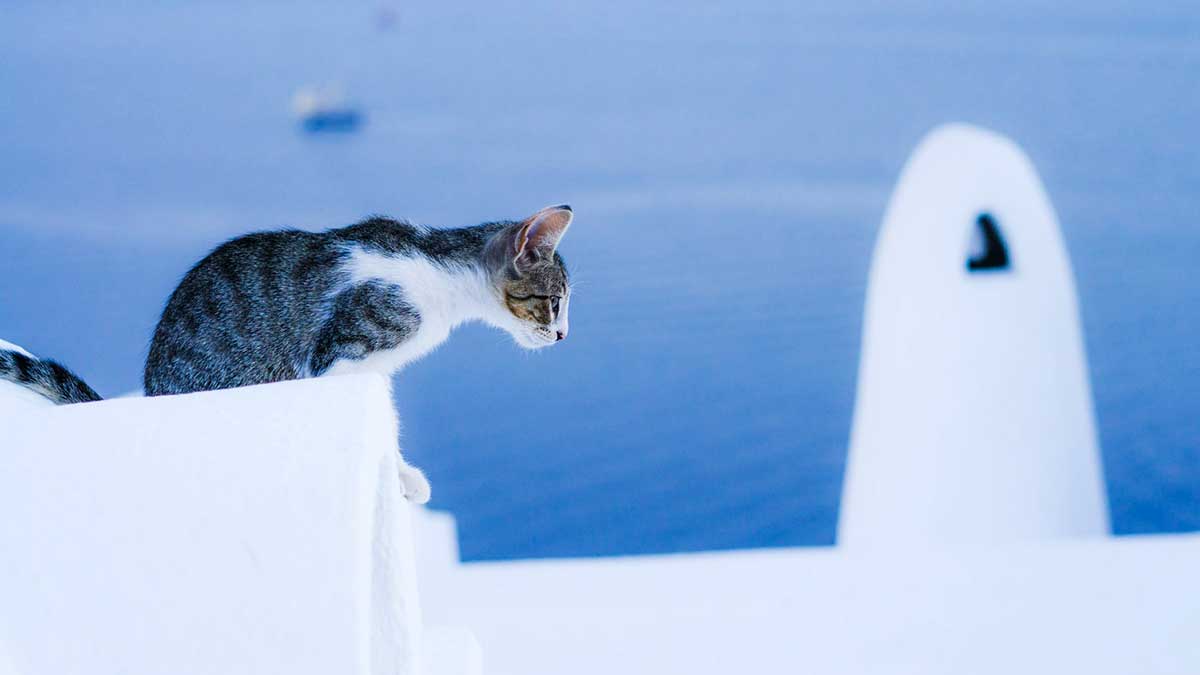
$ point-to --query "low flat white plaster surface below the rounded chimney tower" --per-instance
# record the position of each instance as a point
(1101, 607)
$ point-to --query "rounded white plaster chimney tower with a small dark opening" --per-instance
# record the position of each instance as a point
(974, 420)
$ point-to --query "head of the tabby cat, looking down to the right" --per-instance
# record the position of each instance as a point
(530, 278)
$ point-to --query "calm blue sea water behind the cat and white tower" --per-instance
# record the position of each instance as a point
(729, 164)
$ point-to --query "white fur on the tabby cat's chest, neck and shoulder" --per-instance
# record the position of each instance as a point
(443, 296)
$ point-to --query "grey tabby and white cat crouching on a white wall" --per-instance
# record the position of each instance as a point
(371, 297)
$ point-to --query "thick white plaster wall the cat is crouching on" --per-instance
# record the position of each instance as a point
(257, 530)
